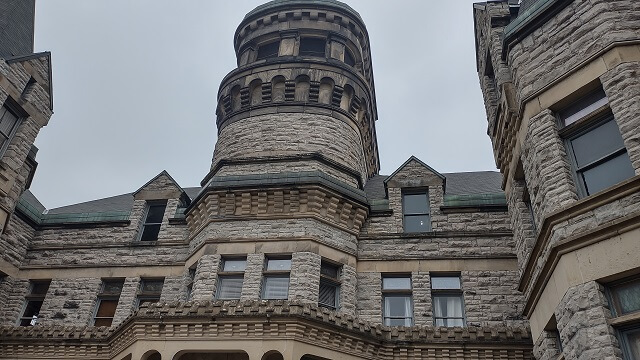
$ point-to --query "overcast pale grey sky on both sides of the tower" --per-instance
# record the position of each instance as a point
(135, 86)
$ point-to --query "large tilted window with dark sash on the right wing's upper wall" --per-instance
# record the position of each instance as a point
(595, 147)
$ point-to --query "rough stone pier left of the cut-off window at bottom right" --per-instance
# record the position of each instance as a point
(582, 321)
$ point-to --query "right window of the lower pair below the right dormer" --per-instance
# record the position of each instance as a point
(448, 309)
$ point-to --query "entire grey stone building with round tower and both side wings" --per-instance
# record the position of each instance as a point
(295, 247)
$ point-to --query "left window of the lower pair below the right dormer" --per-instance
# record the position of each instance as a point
(396, 300)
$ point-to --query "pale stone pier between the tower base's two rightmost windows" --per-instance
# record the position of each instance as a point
(304, 283)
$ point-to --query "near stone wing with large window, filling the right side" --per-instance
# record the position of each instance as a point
(561, 86)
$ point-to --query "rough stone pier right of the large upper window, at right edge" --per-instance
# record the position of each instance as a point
(622, 86)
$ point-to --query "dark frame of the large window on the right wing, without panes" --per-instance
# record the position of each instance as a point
(597, 116)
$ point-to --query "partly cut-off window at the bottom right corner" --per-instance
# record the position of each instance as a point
(624, 297)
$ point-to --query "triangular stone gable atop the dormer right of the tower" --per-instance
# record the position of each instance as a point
(414, 173)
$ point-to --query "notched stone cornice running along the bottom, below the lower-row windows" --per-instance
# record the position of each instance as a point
(185, 321)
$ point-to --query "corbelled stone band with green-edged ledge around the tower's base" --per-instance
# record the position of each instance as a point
(305, 194)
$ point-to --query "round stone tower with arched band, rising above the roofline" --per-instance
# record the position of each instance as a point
(302, 98)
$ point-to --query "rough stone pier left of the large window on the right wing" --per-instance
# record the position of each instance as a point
(551, 182)
